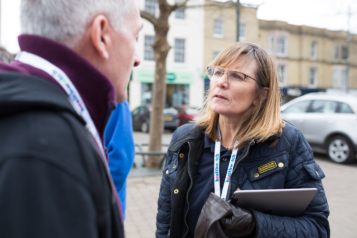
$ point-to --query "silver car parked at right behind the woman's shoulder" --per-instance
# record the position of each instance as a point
(328, 122)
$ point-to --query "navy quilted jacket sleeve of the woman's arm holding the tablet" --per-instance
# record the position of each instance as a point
(303, 172)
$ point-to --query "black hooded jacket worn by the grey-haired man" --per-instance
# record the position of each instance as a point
(53, 182)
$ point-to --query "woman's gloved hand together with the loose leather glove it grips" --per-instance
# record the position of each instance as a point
(219, 218)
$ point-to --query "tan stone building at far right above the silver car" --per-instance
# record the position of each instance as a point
(310, 59)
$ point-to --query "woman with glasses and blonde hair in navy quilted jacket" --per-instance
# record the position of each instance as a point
(240, 143)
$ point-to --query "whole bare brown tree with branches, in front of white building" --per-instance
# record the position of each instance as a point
(161, 49)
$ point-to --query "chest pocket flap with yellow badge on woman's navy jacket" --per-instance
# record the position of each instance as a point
(267, 166)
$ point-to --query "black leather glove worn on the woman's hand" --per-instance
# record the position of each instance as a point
(240, 223)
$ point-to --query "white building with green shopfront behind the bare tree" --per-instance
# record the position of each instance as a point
(184, 79)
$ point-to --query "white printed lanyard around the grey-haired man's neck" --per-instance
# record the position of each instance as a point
(67, 85)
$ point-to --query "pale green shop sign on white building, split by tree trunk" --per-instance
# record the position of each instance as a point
(173, 77)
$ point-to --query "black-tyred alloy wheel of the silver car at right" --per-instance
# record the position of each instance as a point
(340, 150)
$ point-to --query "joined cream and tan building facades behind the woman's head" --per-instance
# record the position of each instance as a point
(310, 59)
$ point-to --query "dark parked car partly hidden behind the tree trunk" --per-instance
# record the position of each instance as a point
(141, 118)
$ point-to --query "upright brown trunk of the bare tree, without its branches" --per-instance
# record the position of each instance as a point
(161, 49)
